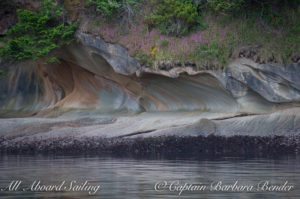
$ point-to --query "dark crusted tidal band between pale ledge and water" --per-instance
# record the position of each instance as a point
(192, 146)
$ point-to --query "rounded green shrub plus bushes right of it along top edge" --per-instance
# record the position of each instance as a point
(179, 17)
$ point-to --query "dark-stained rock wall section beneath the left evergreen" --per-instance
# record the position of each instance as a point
(22, 89)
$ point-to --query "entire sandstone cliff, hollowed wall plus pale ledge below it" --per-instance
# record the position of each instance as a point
(98, 80)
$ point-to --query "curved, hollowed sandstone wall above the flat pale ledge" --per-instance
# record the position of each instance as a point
(93, 74)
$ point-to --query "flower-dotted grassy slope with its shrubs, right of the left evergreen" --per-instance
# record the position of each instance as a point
(216, 32)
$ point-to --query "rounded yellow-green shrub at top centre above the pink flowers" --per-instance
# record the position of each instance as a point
(175, 17)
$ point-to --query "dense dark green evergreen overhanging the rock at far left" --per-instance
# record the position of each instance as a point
(37, 34)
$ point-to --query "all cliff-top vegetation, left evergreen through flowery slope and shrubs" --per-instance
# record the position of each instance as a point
(202, 33)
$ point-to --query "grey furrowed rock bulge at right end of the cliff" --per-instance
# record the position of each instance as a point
(274, 83)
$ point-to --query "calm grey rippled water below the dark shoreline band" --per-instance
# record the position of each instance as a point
(127, 178)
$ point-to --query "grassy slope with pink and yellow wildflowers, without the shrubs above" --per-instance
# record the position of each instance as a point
(268, 37)
